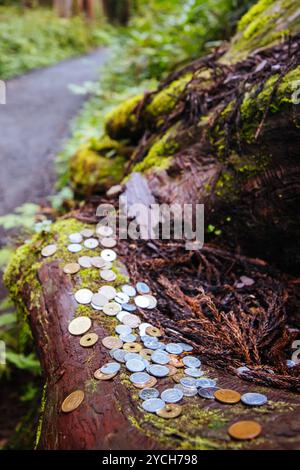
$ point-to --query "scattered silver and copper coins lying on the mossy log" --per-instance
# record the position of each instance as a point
(138, 347)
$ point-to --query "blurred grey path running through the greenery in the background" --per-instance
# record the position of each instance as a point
(33, 125)
